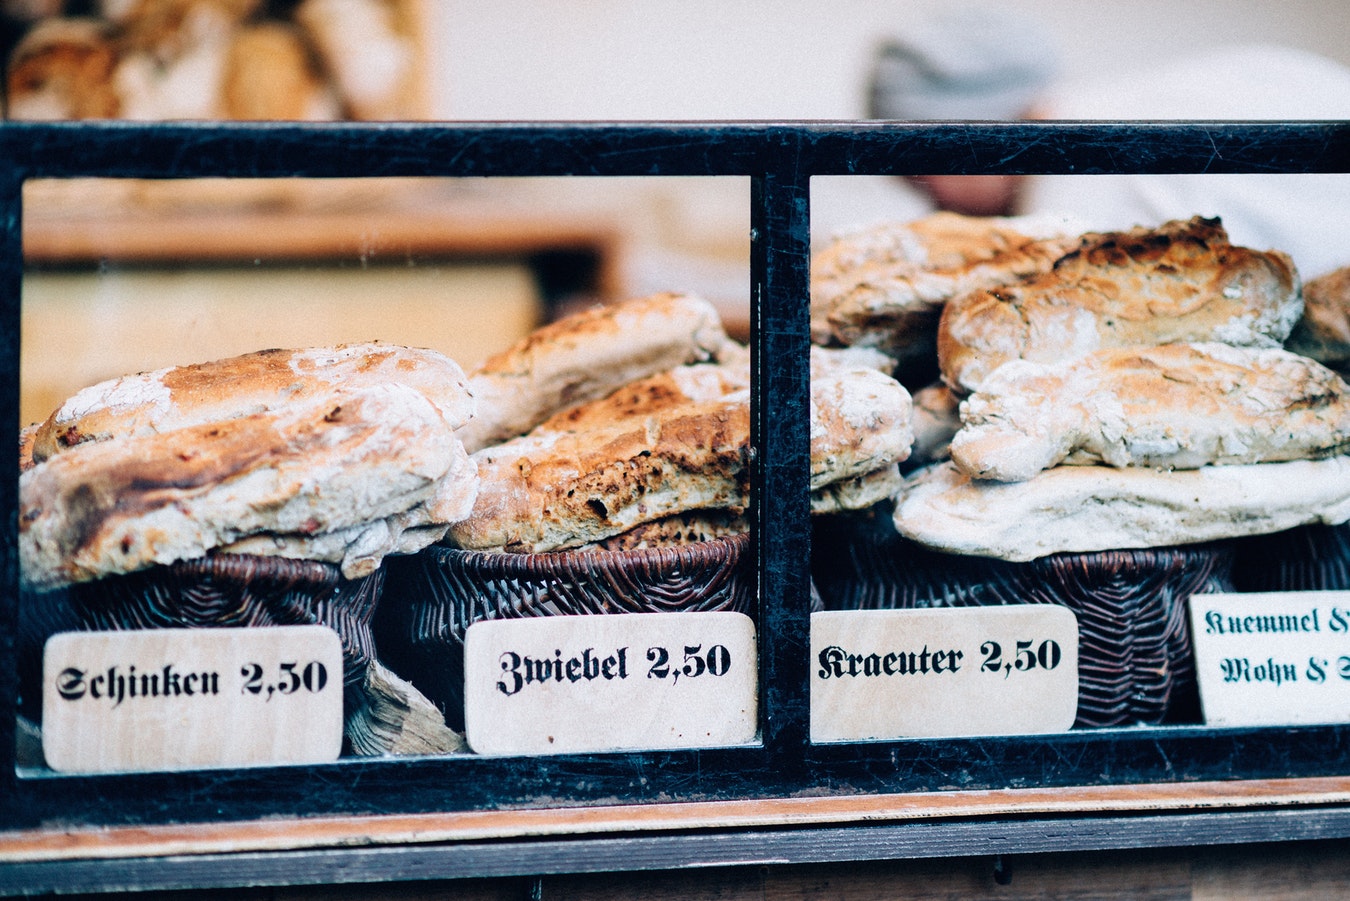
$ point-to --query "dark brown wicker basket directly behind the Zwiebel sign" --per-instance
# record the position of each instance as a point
(435, 596)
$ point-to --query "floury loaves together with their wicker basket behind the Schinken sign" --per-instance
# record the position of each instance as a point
(254, 491)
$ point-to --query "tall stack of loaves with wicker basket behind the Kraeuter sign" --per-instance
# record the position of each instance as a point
(1123, 415)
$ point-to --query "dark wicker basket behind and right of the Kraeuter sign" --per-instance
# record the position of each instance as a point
(1135, 642)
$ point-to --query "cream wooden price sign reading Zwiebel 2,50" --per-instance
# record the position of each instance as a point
(611, 683)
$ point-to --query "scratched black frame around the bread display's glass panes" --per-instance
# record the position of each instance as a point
(780, 159)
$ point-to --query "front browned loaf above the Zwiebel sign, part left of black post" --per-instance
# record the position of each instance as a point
(562, 488)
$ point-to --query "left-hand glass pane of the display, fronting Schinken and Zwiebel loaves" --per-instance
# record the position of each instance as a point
(496, 306)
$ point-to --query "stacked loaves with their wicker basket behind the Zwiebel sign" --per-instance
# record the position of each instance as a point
(614, 450)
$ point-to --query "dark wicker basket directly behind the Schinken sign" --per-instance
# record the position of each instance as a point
(211, 592)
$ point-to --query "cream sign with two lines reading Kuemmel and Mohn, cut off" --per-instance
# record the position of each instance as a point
(1279, 659)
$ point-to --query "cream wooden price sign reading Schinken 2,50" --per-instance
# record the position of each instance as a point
(187, 699)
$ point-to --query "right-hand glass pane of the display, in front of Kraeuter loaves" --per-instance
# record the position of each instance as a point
(1081, 384)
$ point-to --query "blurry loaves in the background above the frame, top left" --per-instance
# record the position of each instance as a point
(157, 60)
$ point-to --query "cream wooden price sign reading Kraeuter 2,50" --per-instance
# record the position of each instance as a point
(944, 673)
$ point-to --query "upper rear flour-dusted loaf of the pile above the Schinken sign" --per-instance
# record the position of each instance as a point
(202, 394)
